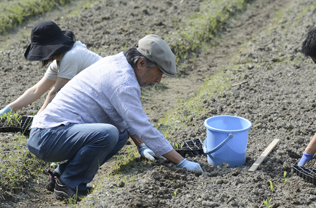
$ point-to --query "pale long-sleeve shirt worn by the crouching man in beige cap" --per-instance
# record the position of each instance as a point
(105, 92)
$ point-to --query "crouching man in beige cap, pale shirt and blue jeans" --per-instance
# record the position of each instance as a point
(92, 116)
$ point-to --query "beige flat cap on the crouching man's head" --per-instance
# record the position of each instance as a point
(158, 51)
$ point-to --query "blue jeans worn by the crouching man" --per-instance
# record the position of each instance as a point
(85, 147)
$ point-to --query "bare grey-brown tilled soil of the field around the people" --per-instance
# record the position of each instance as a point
(270, 83)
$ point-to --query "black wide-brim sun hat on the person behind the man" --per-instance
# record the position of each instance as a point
(47, 41)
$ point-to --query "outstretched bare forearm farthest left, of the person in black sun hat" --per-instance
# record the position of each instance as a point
(25, 99)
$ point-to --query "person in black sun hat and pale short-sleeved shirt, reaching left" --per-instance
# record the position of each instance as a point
(67, 57)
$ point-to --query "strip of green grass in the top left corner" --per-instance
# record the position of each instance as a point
(13, 13)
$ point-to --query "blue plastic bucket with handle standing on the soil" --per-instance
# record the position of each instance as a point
(226, 140)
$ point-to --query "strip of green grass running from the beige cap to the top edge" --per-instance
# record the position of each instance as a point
(204, 26)
